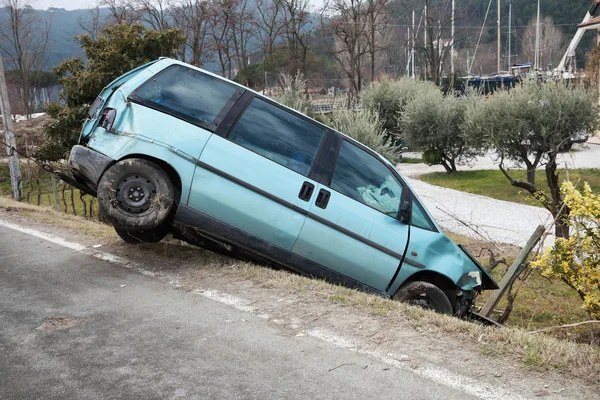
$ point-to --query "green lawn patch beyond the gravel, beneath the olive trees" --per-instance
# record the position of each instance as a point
(493, 183)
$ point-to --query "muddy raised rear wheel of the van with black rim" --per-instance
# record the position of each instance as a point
(136, 195)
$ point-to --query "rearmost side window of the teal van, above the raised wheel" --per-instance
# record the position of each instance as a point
(186, 93)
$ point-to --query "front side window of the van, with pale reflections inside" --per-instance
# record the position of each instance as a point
(366, 179)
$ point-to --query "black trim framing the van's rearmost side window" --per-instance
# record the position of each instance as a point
(212, 127)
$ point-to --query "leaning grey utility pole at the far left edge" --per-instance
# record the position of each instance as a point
(9, 138)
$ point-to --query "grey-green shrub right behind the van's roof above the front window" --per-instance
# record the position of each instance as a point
(365, 127)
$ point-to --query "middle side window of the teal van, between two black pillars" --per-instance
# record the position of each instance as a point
(278, 135)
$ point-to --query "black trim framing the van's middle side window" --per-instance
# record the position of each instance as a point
(237, 112)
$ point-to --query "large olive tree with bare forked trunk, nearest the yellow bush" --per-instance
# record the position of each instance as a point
(530, 125)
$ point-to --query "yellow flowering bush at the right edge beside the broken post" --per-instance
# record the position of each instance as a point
(576, 260)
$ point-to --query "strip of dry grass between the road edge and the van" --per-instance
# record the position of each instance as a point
(536, 351)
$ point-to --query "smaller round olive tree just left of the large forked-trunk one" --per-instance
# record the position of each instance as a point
(433, 123)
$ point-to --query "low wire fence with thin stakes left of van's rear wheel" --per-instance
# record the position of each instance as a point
(45, 189)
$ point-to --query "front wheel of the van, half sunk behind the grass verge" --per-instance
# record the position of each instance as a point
(425, 295)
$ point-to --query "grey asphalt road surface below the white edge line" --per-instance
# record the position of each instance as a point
(134, 337)
